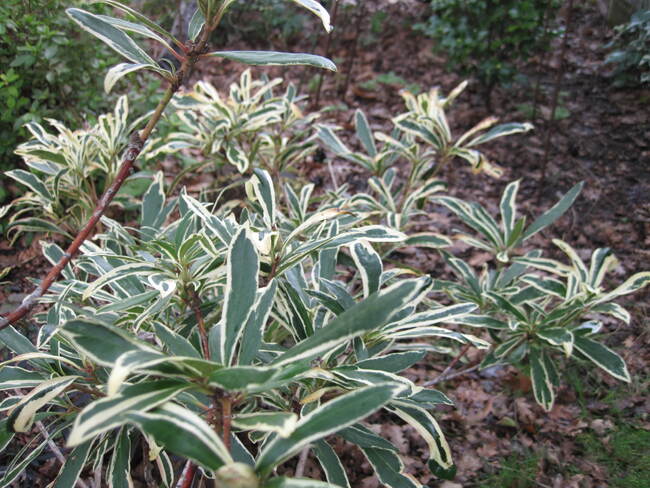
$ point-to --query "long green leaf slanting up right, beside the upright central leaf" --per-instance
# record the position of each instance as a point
(370, 314)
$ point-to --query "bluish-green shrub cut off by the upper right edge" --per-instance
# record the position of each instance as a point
(632, 50)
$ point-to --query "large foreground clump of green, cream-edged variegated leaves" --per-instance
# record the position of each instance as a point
(210, 334)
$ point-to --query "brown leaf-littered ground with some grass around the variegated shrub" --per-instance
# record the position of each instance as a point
(598, 433)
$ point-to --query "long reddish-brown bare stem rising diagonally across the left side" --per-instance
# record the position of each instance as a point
(130, 155)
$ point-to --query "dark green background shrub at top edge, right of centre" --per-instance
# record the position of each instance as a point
(486, 38)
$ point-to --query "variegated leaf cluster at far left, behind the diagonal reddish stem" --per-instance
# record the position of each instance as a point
(68, 172)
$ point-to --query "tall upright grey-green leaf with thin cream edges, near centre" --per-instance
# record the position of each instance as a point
(241, 289)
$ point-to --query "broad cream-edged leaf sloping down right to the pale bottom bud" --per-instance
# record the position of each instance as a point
(183, 432)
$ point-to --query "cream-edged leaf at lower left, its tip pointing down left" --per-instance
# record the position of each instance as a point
(110, 412)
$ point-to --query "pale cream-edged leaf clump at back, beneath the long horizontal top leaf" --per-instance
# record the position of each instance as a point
(253, 127)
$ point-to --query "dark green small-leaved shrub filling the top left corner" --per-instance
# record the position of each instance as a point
(45, 72)
